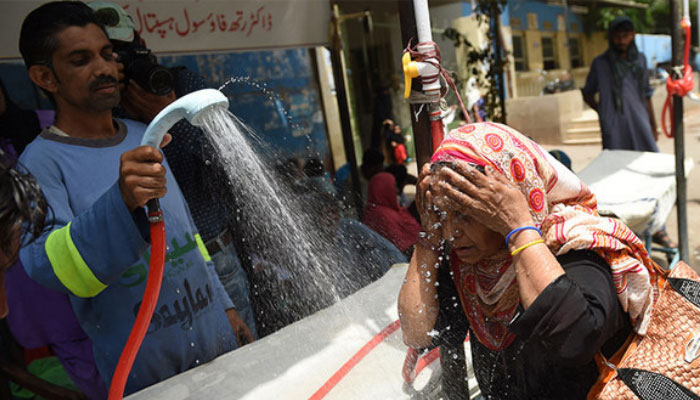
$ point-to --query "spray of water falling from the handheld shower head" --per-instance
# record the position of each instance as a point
(289, 248)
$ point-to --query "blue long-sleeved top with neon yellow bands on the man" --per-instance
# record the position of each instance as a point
(98, 252)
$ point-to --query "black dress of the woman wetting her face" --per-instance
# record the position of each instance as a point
(557, 336)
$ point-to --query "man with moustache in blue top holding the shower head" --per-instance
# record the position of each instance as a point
(97, 179)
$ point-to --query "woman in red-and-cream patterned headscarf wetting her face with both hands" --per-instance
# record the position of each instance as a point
(544, 282)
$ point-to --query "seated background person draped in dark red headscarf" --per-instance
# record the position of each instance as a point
(384, 215)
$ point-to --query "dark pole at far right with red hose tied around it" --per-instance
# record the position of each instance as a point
(678, 137)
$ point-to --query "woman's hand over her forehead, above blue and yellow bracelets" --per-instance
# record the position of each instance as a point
(489, 197)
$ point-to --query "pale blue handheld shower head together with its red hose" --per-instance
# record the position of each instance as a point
(191, 107)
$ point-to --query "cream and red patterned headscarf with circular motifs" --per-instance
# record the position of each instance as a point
(564, 209)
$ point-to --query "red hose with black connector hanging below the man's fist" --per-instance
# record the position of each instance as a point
(148, 305)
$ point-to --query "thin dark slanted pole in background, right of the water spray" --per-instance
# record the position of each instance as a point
(338, 62)
